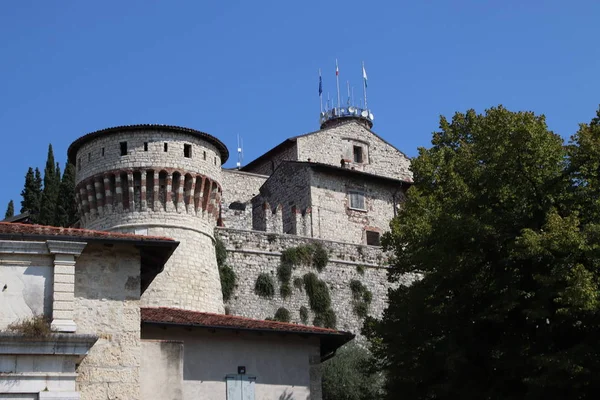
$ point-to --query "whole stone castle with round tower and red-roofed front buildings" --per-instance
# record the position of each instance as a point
(158, 198)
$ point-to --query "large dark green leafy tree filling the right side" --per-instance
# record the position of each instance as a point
(499, 231)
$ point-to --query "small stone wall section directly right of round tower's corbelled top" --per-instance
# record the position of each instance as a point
(239, 188)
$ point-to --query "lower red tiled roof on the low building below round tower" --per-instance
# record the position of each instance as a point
(193, 318)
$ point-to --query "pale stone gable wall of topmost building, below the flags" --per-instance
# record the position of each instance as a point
(330, 146)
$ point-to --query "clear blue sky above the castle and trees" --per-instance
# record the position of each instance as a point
(250, 68)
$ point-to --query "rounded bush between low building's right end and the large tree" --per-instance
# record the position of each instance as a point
(348, 375)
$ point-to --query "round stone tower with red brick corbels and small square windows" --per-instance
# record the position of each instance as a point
(163, 181)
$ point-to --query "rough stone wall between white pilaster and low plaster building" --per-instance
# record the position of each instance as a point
(107, 292)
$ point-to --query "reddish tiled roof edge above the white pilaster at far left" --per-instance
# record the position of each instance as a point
(12, 229)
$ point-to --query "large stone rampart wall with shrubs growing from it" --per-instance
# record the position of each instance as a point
(251, 253)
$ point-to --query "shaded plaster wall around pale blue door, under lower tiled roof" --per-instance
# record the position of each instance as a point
(281, 364)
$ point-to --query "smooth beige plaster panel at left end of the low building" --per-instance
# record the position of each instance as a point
(161, 373)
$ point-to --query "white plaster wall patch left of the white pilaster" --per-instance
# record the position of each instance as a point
(26, 286)
